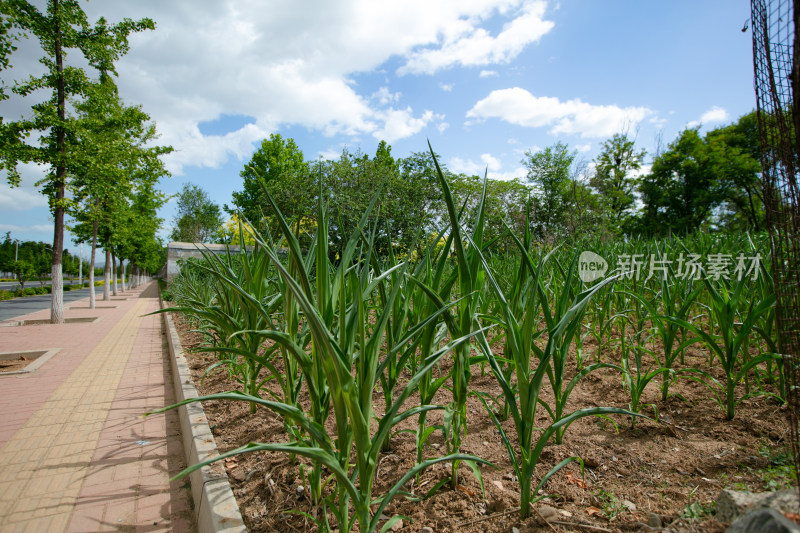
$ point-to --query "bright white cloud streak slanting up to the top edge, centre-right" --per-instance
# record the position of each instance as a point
(474, 46)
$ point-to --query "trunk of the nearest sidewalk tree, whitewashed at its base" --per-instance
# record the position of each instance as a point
(56, 276)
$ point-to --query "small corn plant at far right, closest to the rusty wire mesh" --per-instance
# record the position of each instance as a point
(727, 345)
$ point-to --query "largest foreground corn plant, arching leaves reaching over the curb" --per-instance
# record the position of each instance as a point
(349, 355)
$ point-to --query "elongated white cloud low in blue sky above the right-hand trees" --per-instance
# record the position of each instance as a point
(572, 117)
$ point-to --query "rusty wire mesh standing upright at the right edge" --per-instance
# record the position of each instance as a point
(777, 84)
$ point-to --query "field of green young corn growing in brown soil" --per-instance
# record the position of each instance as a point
(357, 336)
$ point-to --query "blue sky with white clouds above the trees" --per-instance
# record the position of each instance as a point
(483, 80)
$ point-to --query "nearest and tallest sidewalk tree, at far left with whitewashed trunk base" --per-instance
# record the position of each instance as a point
(61, 28)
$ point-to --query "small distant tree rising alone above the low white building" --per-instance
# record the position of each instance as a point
(198, 218)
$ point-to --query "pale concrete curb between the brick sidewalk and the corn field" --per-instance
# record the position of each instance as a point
(214, 503)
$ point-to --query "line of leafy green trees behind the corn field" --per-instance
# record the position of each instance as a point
(699, 180)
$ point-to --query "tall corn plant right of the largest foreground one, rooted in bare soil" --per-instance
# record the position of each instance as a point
(520, 341)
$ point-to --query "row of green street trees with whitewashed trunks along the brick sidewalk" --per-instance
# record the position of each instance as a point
(102, 164)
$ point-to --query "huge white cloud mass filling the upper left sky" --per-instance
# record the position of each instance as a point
(297, 66)
